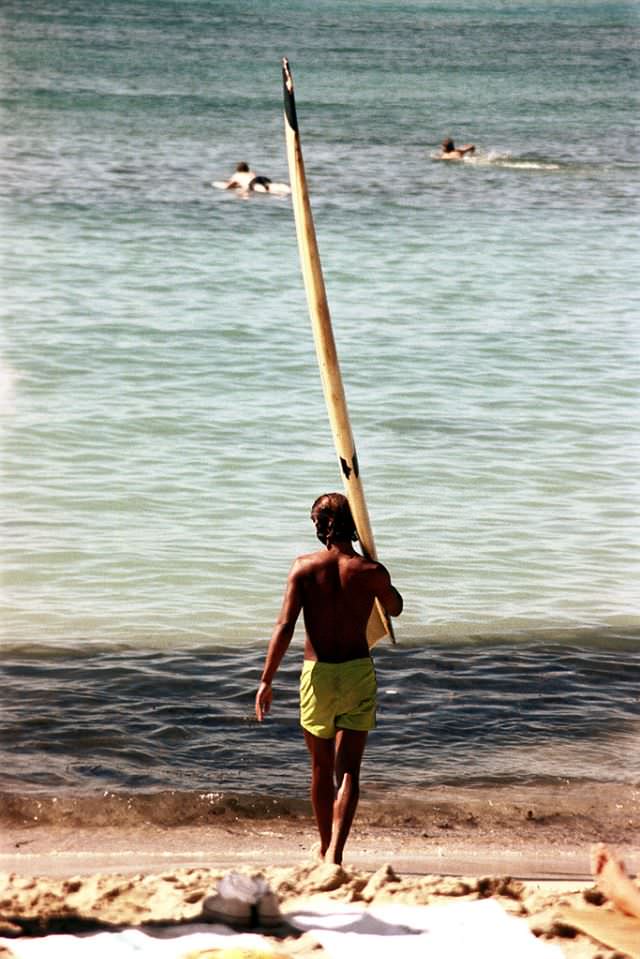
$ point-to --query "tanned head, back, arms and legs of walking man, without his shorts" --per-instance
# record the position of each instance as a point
(335, 588)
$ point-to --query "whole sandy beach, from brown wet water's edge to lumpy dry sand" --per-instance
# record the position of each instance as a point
(526, 850)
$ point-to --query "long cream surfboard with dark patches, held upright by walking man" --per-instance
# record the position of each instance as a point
(379, 623)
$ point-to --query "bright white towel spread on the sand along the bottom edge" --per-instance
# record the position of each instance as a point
(479, 930)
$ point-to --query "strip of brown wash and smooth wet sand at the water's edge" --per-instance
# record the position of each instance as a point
(522, 831)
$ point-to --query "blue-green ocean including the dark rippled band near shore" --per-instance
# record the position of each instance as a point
(163, 431)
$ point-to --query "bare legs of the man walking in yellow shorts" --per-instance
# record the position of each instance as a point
(335, 787)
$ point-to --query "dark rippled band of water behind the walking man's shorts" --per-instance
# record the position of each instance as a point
(101, 720)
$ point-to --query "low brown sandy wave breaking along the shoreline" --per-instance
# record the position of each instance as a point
(394, 806)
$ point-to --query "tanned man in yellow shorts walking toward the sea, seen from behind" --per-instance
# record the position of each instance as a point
(335, 588)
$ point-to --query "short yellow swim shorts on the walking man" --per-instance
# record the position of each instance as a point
(338, 696)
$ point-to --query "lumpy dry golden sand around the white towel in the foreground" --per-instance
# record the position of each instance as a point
(39, 905)
